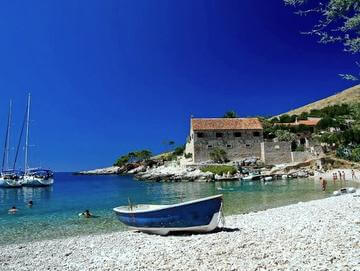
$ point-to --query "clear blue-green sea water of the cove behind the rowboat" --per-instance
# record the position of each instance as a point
(56, 208)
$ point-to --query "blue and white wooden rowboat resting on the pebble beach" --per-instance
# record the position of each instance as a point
(200, 215)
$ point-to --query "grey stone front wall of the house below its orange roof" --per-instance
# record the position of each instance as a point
(238, 144)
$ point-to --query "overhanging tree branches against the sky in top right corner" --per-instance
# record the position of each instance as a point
(337, 21)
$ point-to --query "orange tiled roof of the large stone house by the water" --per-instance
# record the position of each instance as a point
(226, 124)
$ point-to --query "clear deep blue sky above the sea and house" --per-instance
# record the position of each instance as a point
(108, 77)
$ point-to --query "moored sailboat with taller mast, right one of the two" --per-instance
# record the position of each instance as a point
(34, 176)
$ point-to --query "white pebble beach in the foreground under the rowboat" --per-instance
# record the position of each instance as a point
(317, 234)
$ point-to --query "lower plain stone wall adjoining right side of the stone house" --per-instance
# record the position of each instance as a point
(276, 152)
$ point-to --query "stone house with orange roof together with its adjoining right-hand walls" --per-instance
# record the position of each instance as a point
(241, 138)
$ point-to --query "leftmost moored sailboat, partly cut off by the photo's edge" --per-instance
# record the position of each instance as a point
(9, 178)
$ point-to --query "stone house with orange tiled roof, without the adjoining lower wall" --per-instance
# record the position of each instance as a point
(239, 137)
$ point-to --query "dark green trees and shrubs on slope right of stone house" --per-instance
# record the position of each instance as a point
(343, 139)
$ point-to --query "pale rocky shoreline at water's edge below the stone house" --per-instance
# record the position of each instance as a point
(175, 171)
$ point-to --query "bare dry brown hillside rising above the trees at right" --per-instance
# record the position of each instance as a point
(348, 96)
